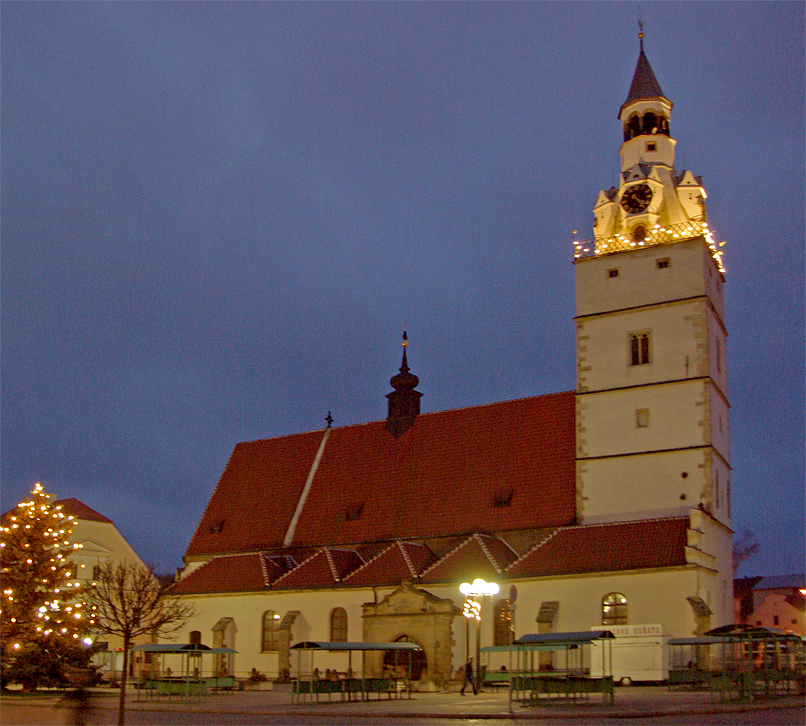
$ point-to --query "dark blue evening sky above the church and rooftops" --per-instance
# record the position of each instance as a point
(218, 217)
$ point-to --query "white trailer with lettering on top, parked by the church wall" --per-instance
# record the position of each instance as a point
(639, 653)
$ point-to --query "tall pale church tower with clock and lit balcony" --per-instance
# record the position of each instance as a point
(652, 390)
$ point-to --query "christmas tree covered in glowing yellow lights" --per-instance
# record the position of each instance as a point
(42, 616)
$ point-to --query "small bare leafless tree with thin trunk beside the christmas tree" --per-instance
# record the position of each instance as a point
(129, 600)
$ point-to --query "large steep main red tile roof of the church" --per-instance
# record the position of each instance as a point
(492, 468)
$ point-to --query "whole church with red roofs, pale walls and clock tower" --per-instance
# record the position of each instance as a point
(601, 507)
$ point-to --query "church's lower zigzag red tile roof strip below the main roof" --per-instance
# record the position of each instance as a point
(597, 548)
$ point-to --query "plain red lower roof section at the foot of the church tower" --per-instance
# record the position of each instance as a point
(605, 548)
